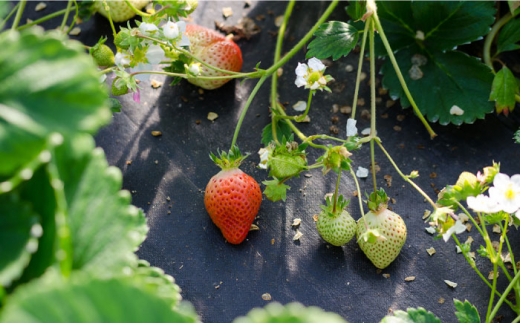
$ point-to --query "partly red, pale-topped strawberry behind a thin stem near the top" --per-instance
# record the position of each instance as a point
(214, 49)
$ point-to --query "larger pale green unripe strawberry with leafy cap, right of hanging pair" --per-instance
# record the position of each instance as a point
(383, 234)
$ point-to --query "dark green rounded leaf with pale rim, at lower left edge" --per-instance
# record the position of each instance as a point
(19, 233)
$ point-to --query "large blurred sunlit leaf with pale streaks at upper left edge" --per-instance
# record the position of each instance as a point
(47, 84)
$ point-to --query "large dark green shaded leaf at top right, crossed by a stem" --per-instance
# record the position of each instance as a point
(424, 34)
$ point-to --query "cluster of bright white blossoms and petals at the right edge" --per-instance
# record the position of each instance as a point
(504, 195)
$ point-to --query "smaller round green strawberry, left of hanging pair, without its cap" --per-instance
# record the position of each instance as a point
(337, 229)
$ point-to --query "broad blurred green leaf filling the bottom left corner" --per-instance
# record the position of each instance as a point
(84, 299)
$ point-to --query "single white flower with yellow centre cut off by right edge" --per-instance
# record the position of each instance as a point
(506, 191)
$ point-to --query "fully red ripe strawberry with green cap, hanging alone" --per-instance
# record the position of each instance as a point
(232, 197)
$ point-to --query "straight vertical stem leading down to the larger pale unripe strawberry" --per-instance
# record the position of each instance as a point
(372, 101)
